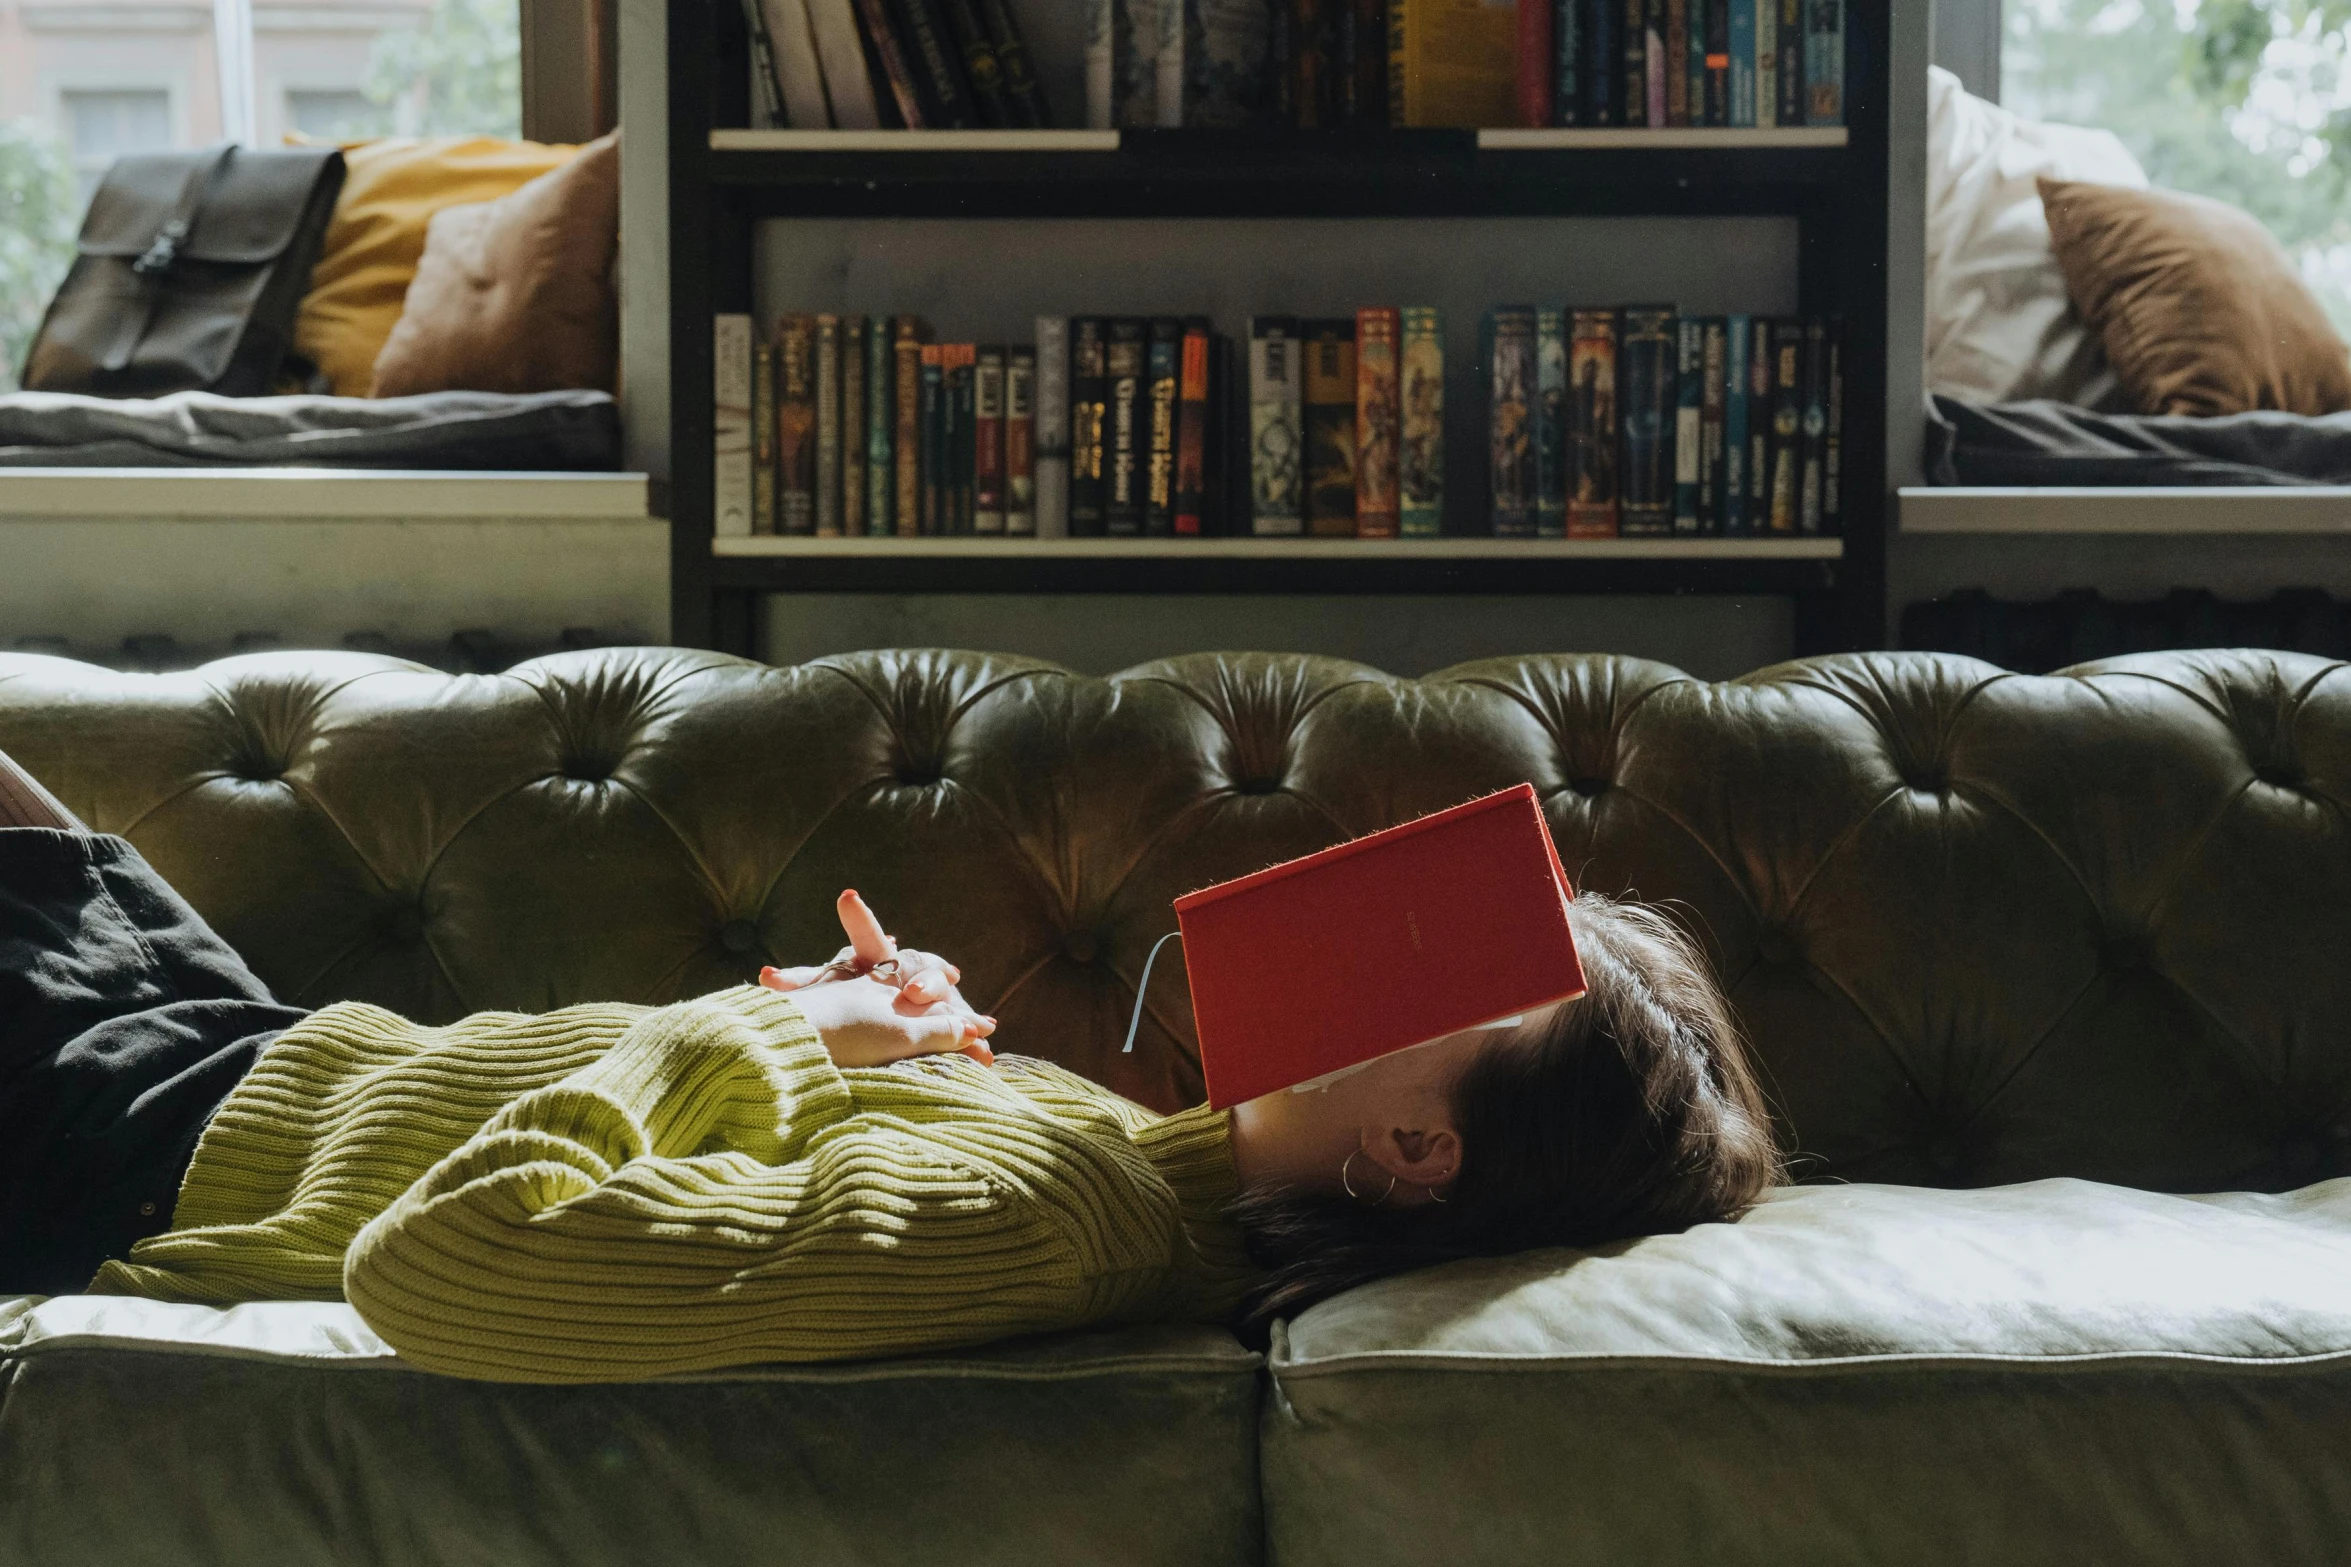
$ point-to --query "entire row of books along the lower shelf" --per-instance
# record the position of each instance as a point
(1598, 422)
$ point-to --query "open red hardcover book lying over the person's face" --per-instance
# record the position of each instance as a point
(1377, 946)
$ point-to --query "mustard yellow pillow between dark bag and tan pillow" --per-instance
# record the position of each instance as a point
(391, 191)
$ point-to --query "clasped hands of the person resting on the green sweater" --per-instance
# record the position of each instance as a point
(880, 1002)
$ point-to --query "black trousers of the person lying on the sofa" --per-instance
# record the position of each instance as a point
(123, 1025)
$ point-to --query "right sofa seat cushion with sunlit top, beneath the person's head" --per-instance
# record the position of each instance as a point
(2044, 1373)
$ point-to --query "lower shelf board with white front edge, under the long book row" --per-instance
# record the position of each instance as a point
(1800, 567)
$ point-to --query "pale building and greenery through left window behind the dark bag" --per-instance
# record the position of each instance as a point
(86, 83)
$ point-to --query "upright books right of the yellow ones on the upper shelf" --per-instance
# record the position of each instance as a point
(1682, 62)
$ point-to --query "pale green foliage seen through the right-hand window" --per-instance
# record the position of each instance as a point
(2237, 100)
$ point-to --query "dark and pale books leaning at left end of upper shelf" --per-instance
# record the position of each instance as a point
(892, 65)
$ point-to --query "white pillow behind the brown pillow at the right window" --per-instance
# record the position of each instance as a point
(2000, 325)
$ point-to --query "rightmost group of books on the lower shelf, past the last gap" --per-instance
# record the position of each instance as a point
(1642, 422)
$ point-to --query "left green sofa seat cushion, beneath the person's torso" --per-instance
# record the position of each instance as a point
(142, 1432)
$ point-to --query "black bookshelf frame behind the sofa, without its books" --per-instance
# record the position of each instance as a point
(725, 180)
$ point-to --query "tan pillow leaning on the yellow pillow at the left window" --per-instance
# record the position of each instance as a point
(516, 295)
